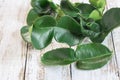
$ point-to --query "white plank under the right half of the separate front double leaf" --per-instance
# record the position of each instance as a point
(108, 72)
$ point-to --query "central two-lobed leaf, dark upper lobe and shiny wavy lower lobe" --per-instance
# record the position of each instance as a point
(68, 32)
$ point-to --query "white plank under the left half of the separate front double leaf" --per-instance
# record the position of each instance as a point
(37, 71)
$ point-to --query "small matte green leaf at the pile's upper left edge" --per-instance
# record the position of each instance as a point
(32, 16)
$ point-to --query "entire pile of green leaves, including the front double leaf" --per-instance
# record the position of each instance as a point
(71, 23)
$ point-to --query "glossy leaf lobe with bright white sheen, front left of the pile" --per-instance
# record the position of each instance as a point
(41, 37)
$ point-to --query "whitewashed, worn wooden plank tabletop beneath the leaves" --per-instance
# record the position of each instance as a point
(19, 61)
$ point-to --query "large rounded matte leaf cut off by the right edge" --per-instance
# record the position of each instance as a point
(111, 19)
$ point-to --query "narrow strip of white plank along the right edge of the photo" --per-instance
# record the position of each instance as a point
(116, 35)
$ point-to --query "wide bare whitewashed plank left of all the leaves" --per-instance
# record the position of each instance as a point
(12, 47)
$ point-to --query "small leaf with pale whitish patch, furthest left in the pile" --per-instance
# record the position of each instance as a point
(25, 33)
